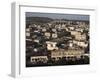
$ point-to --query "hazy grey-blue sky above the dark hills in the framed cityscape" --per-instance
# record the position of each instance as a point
(58, 16)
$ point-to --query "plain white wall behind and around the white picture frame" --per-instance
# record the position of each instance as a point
(5, 40)
